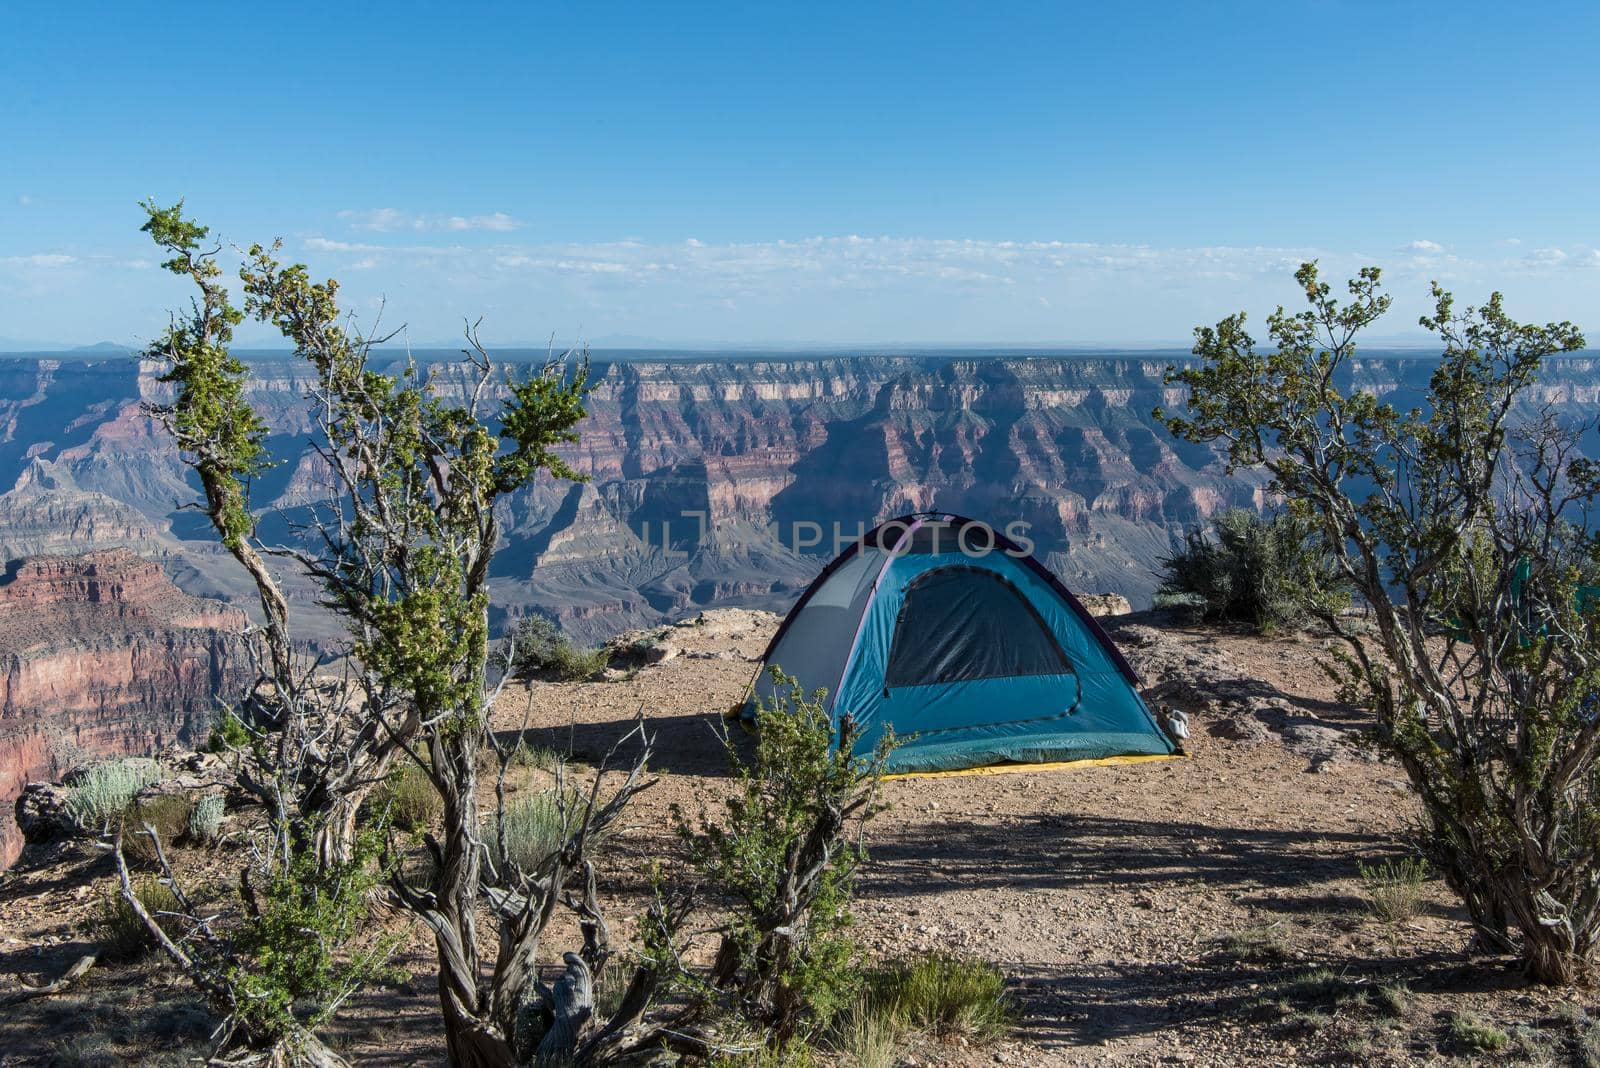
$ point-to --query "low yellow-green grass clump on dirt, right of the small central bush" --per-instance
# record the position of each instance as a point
(945, 994)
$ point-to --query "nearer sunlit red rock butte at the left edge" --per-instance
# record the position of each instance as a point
(103, 656)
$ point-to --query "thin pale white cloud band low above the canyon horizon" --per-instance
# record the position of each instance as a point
(849, 287)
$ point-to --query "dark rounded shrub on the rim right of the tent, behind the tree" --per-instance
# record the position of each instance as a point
(1252, 570)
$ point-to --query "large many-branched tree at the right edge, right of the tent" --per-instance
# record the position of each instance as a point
(1465, 525)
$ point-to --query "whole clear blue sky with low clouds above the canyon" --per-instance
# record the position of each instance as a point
(762, 173)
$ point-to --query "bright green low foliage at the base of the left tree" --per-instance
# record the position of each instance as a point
(302, 947)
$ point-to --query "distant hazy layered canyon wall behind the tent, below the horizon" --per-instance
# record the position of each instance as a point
(711, 482)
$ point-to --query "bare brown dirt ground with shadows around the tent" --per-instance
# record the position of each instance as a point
(1202, 911)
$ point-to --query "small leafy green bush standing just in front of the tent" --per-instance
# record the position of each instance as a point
(780, 855)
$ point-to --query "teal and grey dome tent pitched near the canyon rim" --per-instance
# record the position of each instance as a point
(977, 655)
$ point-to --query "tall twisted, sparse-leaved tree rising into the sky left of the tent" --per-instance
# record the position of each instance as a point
(401, 548)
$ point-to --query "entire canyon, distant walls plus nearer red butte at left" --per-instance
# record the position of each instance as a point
(710, 484)
